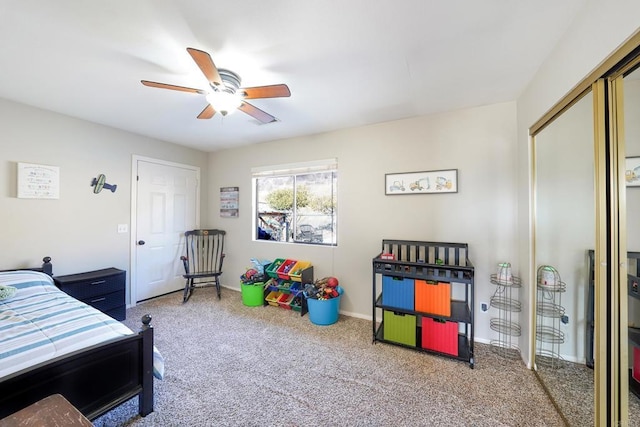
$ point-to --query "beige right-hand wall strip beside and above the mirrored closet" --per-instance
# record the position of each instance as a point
(597, 31)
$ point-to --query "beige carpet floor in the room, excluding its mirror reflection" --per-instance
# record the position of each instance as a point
(231, 365)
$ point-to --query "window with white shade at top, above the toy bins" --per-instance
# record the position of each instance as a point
(297, 203)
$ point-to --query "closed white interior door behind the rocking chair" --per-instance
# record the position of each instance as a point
(166, 206)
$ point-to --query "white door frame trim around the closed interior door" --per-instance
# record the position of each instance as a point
(133, 258)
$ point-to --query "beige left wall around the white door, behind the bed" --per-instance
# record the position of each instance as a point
(78, 230)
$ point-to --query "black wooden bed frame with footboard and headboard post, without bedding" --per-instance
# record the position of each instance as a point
(95, 380)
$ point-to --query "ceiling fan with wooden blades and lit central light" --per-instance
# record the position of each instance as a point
(225, 94)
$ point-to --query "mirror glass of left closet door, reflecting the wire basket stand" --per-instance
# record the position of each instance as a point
(564, 234)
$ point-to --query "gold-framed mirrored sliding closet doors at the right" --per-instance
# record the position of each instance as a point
(586, 257)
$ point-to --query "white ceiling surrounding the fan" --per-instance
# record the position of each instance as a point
(347, 62)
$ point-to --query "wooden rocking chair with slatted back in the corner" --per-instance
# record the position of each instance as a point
(203, 259)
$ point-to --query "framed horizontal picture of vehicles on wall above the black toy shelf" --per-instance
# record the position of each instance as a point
(426, 182)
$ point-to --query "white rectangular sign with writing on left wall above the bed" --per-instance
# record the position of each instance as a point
(38, 181)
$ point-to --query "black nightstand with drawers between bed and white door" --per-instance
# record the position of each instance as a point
(102, 289)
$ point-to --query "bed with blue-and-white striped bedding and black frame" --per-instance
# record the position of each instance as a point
(52, 343)
